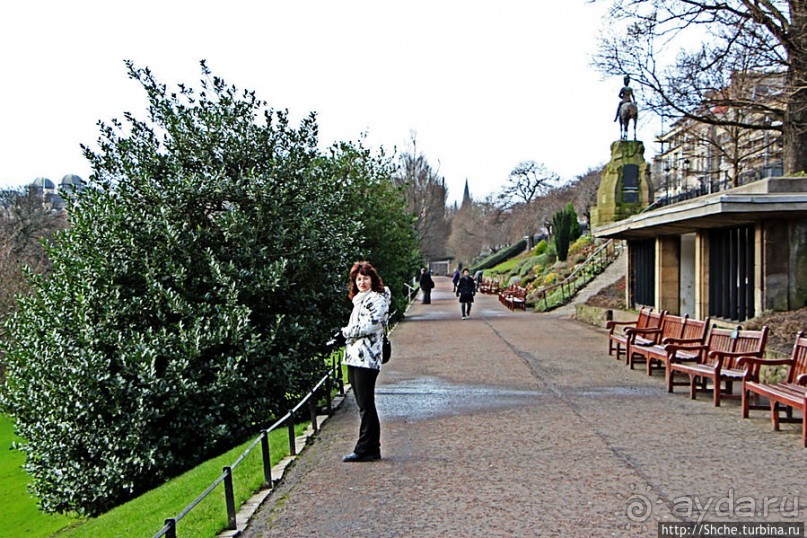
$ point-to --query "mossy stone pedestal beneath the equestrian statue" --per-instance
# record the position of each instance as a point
(625, 188)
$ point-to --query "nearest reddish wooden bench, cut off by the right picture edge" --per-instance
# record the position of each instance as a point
(792, 393)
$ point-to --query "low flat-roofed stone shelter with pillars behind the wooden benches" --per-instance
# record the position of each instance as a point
(730, 255)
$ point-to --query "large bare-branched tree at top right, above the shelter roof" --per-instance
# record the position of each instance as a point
(739, 40)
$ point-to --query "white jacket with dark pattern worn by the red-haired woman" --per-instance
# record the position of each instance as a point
(365, 329)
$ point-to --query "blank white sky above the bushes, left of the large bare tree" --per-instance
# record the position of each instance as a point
(483, 84)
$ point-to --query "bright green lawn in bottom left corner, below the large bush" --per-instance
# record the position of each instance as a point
(20, 515)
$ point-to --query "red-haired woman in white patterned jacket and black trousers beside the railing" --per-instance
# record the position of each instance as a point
(363, 338)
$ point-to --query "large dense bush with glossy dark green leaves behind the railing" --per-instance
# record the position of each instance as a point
(192, 294)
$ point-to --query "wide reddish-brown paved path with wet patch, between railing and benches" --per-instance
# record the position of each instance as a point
(519, 424)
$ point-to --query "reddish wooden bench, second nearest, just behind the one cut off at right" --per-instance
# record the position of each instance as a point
(718, 360)
